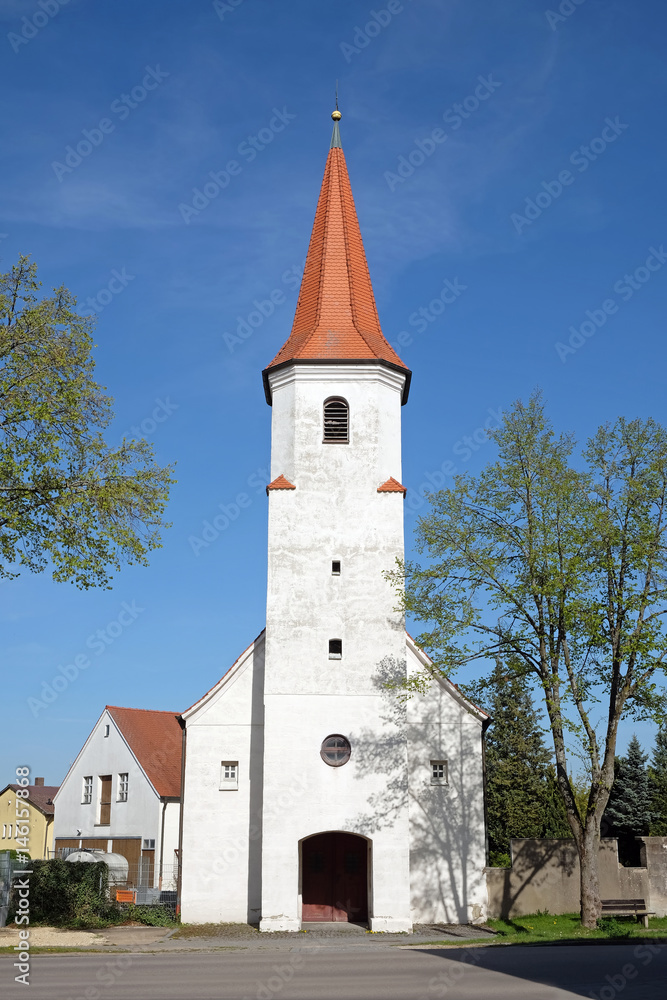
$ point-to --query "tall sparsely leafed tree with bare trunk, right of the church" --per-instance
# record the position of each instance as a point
(559, 567)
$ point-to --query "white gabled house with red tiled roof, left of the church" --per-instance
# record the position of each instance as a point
(122, 794)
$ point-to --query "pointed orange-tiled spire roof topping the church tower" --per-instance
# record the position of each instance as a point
(336, 317)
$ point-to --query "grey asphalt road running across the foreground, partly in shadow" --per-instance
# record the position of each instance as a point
(632, 972)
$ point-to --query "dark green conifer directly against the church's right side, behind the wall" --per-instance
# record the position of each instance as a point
(520, 785)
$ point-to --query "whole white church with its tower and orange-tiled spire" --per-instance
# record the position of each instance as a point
(314, 789)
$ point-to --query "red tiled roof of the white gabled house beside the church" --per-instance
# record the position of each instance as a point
(156, 740)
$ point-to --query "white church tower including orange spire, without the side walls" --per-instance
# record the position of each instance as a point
(336, 389)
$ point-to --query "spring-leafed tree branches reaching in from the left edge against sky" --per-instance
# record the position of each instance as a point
(67, 499)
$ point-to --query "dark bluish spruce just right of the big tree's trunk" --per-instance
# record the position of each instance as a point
(628, 812)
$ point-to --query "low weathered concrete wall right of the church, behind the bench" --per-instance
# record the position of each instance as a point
(545, 876)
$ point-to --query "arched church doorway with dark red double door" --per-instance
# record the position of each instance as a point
(334, 877)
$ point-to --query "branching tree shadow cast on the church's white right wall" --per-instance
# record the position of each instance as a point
(447, 831)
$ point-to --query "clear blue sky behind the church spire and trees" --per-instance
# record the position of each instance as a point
(164, 95)
